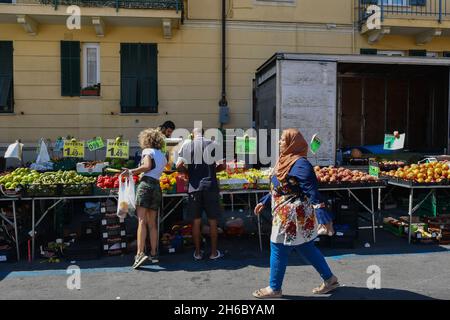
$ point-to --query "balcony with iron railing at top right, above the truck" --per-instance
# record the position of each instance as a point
(424, 19)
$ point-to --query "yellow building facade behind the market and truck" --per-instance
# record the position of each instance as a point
(189, 44)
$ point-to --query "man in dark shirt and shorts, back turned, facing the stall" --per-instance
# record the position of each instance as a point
(203, 190)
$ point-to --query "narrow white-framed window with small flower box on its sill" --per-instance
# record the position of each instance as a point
(91, 69)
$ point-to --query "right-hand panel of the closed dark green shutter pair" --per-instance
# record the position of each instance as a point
(148, 81)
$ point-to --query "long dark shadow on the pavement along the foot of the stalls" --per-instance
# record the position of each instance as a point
(239, 253)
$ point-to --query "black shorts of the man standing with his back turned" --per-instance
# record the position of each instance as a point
(207, 201)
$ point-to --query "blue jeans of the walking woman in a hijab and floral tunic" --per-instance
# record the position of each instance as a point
(279, 258)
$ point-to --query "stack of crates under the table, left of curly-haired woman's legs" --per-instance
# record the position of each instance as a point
(113, 230)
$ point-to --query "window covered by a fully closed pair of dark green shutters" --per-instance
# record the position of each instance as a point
(138, 78)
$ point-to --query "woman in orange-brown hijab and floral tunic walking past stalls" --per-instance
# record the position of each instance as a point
(294, 197)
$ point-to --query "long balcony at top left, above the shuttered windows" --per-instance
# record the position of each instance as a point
(98, 13)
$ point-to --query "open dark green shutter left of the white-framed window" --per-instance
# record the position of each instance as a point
(70, 68)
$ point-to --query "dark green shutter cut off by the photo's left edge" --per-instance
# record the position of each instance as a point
(6, 77)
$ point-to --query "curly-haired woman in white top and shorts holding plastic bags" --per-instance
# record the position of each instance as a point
(148, 193)
